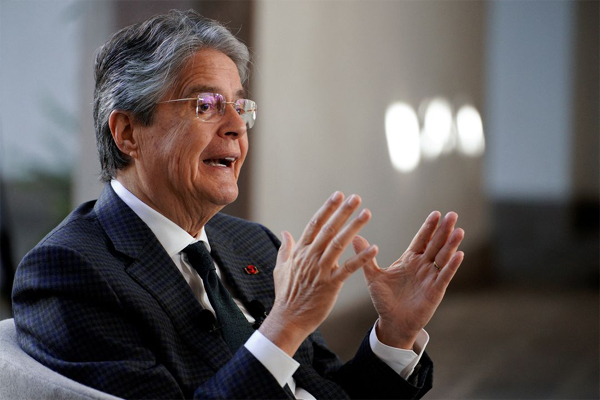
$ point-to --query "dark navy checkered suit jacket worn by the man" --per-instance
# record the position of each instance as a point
(100, 301)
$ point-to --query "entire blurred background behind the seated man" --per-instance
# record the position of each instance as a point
(487, 108)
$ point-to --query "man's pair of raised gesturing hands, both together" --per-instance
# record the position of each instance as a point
(308, 276)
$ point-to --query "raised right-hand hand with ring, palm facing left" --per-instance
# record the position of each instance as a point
(407, 293)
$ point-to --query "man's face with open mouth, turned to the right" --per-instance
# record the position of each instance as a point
(184, 162)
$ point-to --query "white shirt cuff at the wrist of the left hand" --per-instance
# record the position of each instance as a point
(275, 360)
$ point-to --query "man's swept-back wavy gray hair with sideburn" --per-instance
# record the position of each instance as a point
(139, 64)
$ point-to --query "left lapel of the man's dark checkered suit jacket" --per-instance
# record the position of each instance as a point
(152, 268)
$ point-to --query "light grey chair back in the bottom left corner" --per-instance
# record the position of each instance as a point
(22, 377)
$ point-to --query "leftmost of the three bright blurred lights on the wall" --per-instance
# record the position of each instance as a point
(402, 132)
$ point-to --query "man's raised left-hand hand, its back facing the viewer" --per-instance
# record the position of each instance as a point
(308, 277)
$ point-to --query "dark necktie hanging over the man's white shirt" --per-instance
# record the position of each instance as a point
(236, 328)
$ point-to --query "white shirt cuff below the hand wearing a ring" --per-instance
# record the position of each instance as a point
(402, 361)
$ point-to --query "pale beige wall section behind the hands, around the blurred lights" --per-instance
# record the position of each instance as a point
(325, 73)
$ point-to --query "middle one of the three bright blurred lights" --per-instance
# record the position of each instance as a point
(437, 128)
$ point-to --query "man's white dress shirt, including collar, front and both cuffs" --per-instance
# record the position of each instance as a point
(174, 239)
